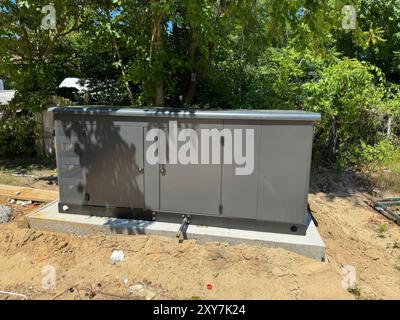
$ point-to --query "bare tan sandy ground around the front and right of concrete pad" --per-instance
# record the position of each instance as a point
(161, 268)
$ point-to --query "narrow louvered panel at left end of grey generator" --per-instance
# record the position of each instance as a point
(70, 150)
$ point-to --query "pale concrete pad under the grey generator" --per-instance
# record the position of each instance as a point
(48, 218)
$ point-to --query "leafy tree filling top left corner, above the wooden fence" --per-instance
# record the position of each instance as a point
(29, 42)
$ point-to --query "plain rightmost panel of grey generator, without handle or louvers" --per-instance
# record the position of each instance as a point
(285, 159)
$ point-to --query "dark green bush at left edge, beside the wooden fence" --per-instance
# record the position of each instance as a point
(17, 136)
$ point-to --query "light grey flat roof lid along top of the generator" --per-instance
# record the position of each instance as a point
(291, 115)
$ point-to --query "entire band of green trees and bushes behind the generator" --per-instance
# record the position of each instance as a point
(266, 54)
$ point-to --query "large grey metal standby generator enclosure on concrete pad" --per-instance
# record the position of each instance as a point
(106, 165)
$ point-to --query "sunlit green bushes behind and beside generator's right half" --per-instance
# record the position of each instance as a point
(353, 98)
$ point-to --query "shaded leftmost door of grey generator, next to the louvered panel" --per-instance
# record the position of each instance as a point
(114, 163)
